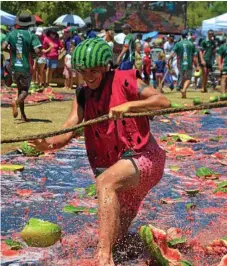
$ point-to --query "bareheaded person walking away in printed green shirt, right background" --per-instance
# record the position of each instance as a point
(186, 55)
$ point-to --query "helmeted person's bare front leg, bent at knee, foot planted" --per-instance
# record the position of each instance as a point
(121, 176)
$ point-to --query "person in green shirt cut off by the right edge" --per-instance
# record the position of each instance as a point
(222, 65)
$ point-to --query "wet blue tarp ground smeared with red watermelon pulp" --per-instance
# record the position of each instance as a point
(53, 181)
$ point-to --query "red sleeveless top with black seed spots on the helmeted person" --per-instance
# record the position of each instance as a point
(107, 141)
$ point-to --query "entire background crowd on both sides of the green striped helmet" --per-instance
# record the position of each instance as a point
(160, 61)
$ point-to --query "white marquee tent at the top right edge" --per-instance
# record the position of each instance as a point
(217, 24)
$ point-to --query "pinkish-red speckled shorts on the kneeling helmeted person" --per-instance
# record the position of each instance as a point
(150, 165)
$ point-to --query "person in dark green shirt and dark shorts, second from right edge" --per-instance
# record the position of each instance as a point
(207, 51)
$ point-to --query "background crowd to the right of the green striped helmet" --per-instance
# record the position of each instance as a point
(175, 62)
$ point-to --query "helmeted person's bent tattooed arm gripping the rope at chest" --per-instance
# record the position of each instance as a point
(150, 99)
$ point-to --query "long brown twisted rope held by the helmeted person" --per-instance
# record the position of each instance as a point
(106, 117)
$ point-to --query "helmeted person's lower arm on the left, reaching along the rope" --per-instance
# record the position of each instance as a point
(75, 117)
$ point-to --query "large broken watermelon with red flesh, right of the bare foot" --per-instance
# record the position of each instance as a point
(156, 242)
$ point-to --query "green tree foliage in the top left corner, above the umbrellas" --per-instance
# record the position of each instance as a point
(49, 11)
